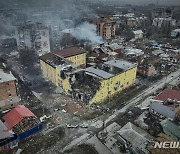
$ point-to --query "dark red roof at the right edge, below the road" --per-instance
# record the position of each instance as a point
(168, 94)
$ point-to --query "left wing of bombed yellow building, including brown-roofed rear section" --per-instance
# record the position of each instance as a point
(54, 65)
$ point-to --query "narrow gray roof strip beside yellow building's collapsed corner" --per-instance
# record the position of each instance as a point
(98, 73)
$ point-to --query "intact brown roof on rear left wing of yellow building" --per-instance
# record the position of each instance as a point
(68, 52)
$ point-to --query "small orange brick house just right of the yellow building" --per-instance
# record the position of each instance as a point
(146, 70)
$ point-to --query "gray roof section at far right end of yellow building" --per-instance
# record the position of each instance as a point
(122, 64)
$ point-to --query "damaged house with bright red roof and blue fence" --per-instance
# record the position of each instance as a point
(22, 121)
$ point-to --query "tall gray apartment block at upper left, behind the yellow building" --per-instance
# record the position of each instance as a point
(33, 37)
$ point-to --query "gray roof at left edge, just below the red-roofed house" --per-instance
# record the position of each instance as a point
(3, 131)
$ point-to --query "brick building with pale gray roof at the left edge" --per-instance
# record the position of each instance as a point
(9, 97)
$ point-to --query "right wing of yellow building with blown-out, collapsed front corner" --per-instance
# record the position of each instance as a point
(98, 83)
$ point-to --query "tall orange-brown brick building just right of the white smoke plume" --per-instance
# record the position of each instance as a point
(105, 27)
